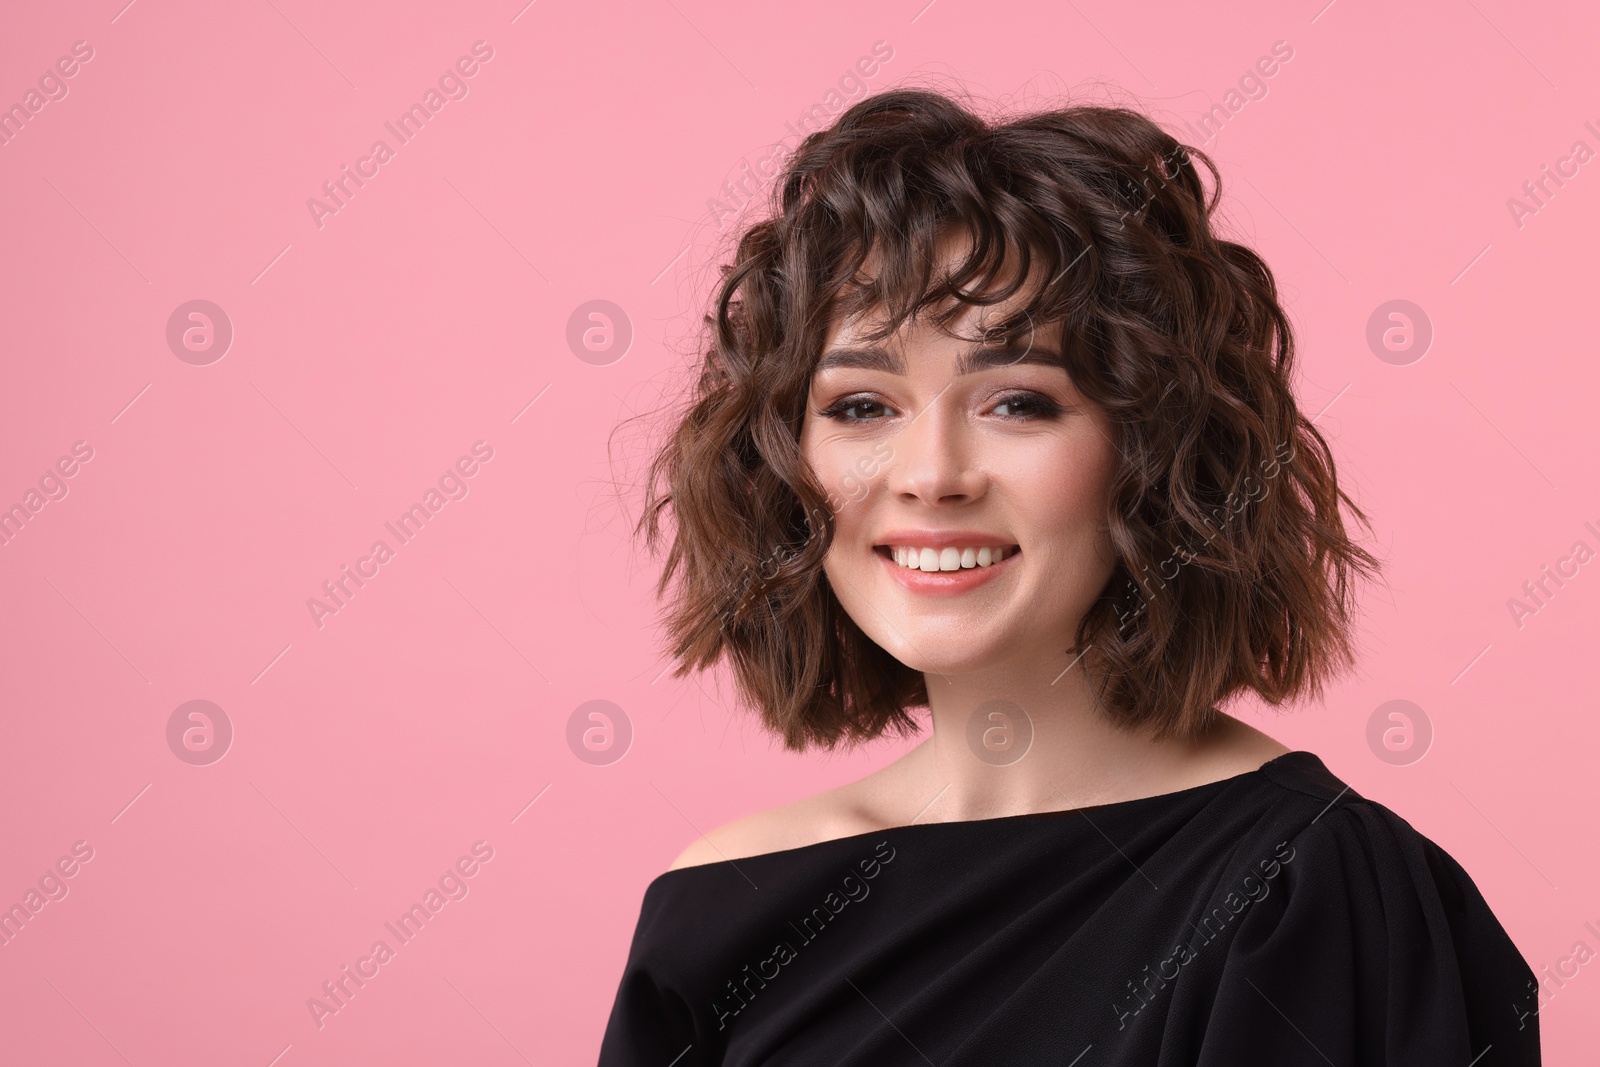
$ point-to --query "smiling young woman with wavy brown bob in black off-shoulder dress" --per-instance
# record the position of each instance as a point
(994, 425)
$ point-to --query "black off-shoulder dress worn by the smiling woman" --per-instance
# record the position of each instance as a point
(1273, 919)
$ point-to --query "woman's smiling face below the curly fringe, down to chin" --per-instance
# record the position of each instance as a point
(942, 454)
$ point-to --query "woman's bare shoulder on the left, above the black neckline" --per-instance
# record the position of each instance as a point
(844, 812)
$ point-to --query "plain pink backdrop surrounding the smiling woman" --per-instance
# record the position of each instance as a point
(431, 311)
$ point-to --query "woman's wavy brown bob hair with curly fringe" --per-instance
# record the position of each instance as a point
(1234, 570)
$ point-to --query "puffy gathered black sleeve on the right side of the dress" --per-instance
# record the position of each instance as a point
(1367, 945)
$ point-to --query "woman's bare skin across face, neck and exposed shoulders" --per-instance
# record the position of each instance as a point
(1010, 452)
